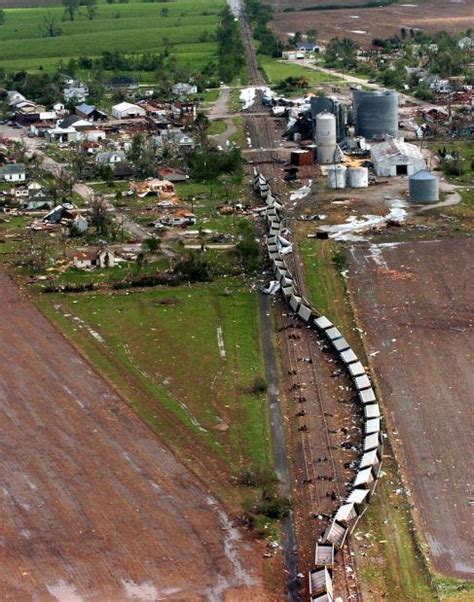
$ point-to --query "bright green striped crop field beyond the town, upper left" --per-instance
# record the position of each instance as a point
(133, 27)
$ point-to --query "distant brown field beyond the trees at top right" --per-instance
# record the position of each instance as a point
(365, 24)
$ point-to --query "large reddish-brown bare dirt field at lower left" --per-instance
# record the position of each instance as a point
(92, 507)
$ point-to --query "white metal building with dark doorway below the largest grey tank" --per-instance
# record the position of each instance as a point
(395, 157)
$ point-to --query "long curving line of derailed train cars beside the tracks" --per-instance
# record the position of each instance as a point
(349, 512)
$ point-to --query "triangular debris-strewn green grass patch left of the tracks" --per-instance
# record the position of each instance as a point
(160, 350)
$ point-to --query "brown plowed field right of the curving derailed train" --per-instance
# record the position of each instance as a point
(414, 301)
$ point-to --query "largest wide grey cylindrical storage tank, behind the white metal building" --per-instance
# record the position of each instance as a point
(375, 113)
